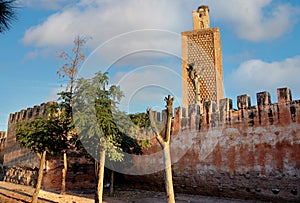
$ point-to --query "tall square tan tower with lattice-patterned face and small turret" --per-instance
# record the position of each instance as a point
(202, 73)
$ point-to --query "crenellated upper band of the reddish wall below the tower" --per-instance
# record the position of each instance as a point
(284, 112)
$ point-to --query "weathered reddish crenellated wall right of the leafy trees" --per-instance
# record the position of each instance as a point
(252, 152)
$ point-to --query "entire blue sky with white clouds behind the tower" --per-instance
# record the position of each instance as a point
(260, 44)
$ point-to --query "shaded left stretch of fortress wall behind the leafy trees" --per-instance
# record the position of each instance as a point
(22, 164)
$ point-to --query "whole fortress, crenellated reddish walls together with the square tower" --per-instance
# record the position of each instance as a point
(251, 152)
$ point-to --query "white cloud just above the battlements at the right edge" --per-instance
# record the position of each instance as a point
(256, 75)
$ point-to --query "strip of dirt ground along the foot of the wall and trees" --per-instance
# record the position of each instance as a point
(11, 193)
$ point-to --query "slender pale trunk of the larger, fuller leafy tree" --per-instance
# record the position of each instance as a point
(100, 176)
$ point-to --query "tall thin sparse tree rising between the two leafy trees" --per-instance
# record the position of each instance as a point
(69, 71)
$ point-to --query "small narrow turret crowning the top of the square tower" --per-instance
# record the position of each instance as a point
(201, 18)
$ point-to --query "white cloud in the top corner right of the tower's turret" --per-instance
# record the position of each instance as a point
(255, 20)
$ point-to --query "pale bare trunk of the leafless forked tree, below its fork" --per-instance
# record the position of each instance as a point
(168, 174)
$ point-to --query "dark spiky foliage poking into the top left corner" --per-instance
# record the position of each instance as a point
(7, 14)
